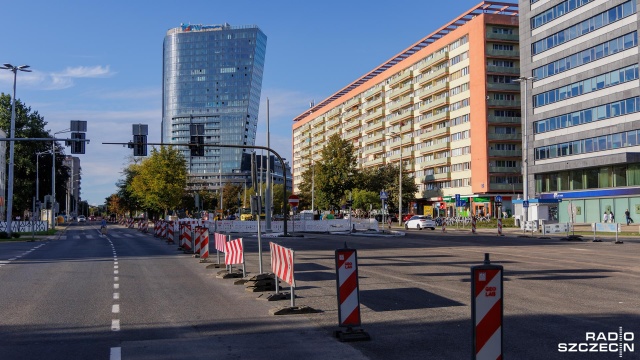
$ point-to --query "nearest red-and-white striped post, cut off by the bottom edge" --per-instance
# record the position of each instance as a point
(487, 310)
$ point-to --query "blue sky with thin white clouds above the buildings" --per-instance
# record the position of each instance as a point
(102, 61)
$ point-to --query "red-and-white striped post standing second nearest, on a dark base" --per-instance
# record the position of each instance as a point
(347, 284)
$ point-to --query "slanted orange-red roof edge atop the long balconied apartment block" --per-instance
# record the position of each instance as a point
(492, 7)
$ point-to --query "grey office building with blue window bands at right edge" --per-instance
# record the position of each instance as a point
(583, 108)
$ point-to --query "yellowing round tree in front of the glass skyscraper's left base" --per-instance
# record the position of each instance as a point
(161, 179)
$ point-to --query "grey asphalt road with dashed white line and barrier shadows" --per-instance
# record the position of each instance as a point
(132, 296)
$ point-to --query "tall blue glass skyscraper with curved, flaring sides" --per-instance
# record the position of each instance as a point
(212, 78)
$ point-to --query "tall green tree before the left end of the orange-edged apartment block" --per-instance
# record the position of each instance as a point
(335, 172)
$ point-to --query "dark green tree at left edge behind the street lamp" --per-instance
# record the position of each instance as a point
(30, 124)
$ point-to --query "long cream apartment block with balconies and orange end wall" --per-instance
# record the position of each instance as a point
(447, 105)
